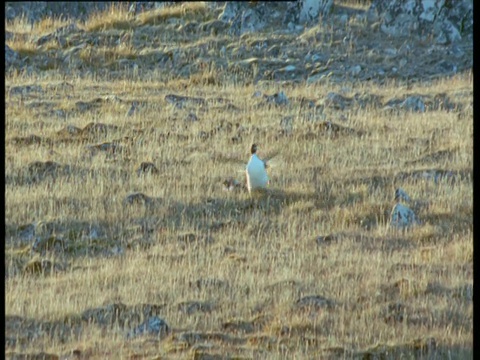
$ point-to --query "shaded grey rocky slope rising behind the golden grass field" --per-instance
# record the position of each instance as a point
(407, 40)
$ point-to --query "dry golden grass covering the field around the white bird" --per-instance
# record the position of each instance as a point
(391, 291)
